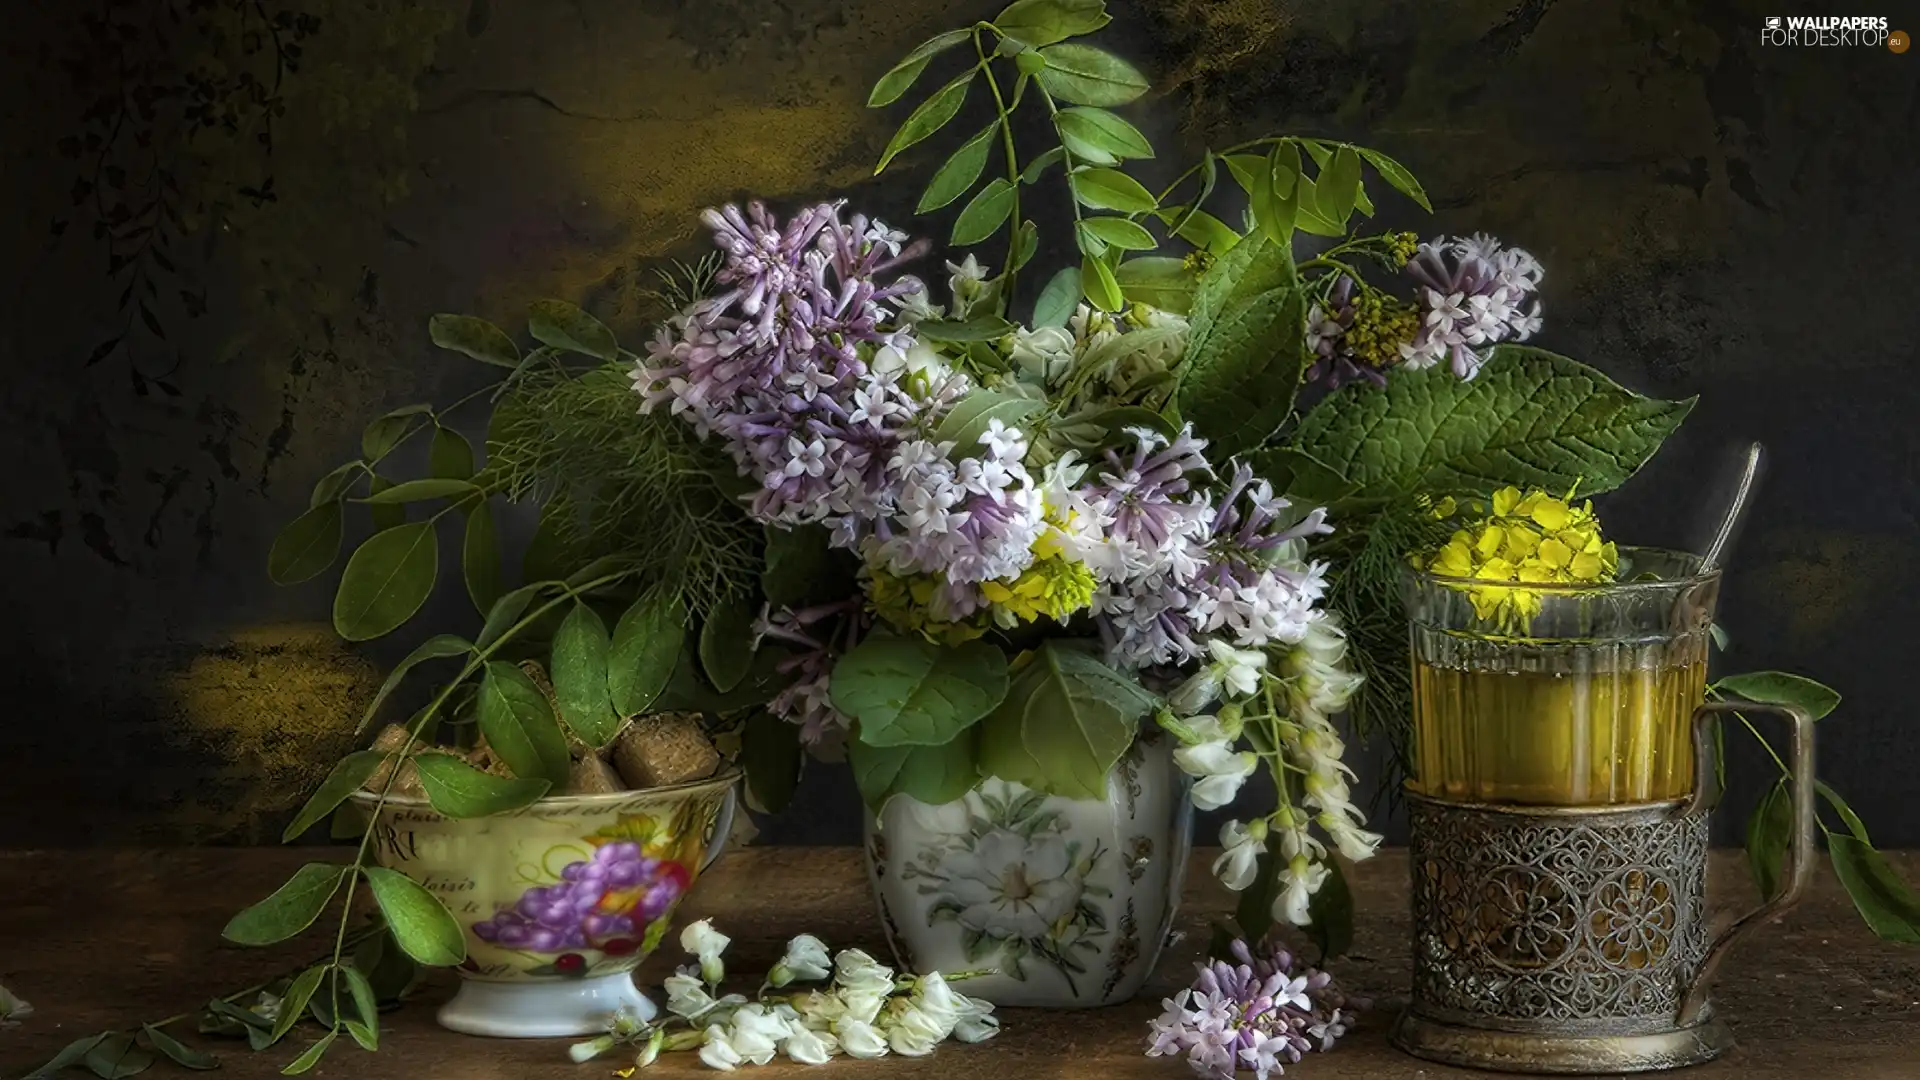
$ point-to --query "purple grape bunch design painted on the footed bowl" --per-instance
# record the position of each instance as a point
(604, 902)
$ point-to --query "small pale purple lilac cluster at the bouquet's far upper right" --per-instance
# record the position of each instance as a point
(1472, 293)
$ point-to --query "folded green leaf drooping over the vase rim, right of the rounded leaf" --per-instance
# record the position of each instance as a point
(1065, 724)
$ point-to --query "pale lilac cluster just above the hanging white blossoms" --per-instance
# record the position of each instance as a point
(1184, 566)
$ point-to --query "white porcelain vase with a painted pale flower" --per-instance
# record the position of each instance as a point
(1070, 900)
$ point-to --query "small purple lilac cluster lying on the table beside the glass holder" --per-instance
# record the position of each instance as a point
(1259, 1014)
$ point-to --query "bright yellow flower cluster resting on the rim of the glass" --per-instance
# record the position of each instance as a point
(1524, 539)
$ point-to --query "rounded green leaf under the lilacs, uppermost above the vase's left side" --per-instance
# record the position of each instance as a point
(913, 693)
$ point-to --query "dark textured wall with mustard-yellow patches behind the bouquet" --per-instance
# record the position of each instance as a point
(1717, 218)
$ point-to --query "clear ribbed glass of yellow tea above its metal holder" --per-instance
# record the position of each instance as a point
(1560, 695)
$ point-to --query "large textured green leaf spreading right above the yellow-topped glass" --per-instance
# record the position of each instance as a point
(1531, 420)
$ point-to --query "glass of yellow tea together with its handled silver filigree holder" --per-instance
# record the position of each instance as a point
(1566, 929)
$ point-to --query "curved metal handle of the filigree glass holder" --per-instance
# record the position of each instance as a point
(1798, 871)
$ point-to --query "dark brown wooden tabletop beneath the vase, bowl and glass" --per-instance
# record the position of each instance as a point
(110, 939)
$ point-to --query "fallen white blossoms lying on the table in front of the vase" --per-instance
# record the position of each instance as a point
(809, 1010)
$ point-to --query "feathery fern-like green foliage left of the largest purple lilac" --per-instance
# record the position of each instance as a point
(617, 483)
